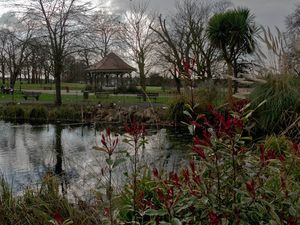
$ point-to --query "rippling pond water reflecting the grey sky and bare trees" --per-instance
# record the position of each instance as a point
(29, 152)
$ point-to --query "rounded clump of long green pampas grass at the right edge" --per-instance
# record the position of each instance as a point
(275, 104)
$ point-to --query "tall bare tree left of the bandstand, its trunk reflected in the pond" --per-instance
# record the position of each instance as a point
(62, 22)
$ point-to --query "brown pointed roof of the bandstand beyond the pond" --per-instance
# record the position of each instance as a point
(111, 63)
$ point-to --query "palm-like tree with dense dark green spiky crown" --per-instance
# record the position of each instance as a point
(233, 32)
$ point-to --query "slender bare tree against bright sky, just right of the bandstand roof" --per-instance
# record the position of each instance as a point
(139, 39)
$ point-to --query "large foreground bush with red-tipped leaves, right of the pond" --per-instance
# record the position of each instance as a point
(227, 182)
